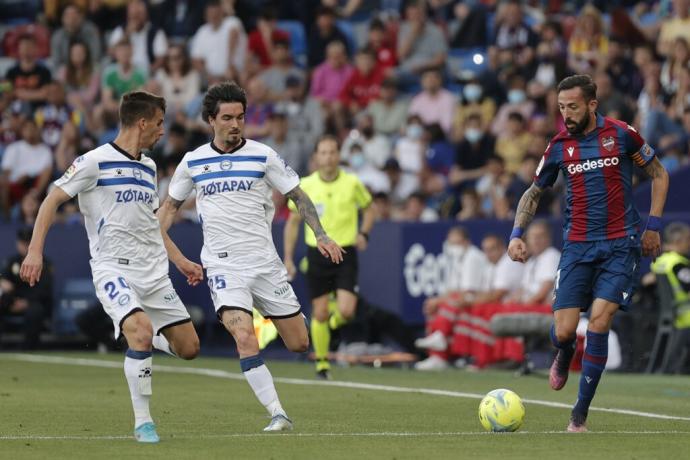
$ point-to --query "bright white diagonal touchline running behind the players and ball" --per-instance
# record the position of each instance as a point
(339, 384)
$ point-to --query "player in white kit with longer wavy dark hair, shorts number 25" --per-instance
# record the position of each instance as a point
(233, 180)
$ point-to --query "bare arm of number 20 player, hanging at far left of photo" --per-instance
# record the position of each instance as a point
(32, 266)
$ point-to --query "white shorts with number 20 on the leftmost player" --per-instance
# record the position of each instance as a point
(124, 291)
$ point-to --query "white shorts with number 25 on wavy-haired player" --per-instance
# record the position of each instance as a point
(266, 289)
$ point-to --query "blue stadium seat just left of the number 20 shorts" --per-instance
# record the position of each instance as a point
(77, 295)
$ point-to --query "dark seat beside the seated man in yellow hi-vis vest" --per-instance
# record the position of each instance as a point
(663, 349)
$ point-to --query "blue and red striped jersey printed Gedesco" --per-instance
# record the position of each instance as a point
(598, 169)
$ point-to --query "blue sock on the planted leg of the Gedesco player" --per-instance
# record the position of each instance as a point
(593, 363)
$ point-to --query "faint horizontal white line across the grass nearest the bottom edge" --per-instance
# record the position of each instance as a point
(332, 435)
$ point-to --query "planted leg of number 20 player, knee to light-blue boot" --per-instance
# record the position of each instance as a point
(138, 331)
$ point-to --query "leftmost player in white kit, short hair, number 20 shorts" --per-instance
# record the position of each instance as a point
(117, 191)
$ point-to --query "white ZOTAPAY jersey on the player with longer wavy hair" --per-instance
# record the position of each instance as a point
(233, 199)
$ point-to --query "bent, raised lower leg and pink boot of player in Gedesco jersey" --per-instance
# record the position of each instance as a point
(563, 338)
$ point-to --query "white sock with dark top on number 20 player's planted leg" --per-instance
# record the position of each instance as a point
(138, 370)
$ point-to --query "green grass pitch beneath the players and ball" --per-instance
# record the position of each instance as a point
(77, 406)
